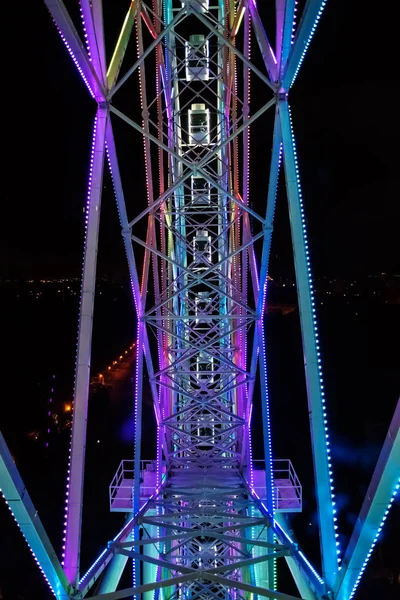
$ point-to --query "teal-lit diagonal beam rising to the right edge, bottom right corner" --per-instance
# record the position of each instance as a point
(384, 486)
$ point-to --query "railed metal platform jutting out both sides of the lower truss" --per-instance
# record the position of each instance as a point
(288, 490)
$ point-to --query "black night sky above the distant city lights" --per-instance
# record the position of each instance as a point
(344, 113)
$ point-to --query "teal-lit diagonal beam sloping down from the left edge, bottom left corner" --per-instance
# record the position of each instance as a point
(18, 500)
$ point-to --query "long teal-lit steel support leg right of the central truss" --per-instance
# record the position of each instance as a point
(313, 372)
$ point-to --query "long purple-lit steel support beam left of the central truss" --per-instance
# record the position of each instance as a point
(82, 378)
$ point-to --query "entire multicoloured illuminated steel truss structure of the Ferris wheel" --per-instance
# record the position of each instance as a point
(204, 530)
